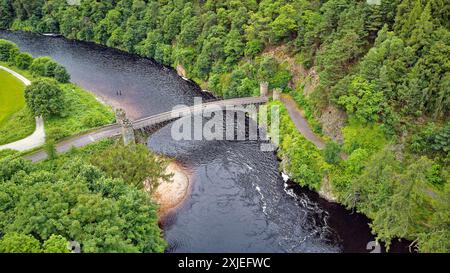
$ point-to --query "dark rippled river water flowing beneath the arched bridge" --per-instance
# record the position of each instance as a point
(238, 201)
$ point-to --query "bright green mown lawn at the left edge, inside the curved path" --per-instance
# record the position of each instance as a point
(16, 122)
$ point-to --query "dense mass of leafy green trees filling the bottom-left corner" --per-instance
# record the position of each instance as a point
(75, 201)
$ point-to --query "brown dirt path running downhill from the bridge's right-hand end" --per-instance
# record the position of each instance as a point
(300, 122)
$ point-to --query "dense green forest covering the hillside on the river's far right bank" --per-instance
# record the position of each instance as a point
(385, 67)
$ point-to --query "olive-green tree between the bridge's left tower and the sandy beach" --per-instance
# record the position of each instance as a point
(134, 164)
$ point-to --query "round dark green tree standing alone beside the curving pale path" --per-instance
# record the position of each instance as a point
(45, 97)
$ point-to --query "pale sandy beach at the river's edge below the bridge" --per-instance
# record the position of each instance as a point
(169, 195)
